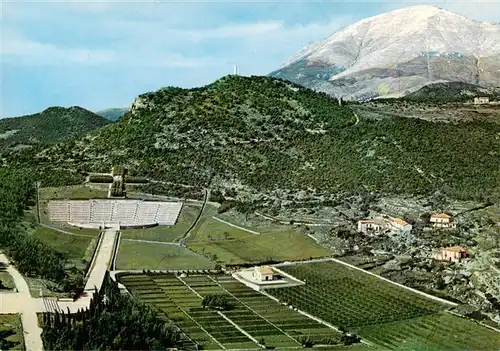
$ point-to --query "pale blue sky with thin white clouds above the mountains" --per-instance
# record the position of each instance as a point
(102, 54)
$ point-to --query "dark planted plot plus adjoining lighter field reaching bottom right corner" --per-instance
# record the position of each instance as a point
(383, 313)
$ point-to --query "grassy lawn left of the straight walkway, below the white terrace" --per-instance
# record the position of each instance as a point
(75, 247)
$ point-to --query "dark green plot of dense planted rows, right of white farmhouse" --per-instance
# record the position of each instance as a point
(350, 298)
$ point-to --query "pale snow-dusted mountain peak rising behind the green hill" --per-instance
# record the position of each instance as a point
(398, 52)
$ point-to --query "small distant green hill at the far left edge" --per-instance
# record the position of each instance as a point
(52, 125)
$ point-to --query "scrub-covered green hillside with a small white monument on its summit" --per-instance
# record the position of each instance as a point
(258, 135)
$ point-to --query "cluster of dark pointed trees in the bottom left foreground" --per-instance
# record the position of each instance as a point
(112, 322)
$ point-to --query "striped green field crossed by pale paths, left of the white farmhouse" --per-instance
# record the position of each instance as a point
(257, 315)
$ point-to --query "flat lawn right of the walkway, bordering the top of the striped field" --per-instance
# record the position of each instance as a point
(137, 256)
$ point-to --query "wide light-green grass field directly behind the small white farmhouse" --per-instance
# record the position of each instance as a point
(280, 245)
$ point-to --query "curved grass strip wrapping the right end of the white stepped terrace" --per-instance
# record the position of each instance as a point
(186, 218)
